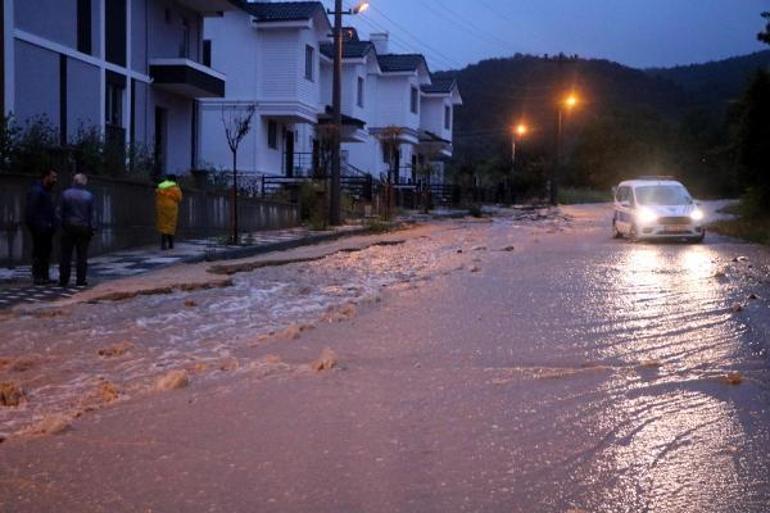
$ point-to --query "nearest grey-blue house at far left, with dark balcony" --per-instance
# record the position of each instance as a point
(130, 68)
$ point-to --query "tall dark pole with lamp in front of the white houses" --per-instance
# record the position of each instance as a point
(335, 214)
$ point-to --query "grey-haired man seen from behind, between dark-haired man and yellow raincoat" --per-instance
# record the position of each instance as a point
(77, 217)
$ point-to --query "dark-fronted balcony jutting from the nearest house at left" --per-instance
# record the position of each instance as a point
(187, 78)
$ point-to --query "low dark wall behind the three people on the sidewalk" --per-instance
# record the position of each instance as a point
(125, 214)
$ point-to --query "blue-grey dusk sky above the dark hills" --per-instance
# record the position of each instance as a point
(640, 33)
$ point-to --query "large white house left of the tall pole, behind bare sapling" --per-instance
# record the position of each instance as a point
(272, 52)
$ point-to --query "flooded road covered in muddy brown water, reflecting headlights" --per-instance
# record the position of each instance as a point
(516, 365)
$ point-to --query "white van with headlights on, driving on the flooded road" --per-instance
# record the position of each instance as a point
(656, 208)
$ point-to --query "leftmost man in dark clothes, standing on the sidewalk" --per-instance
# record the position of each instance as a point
(41, 221)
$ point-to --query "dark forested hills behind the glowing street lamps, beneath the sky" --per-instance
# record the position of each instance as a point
(499, 92)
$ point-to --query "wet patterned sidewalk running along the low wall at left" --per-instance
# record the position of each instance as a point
(16, 287)
